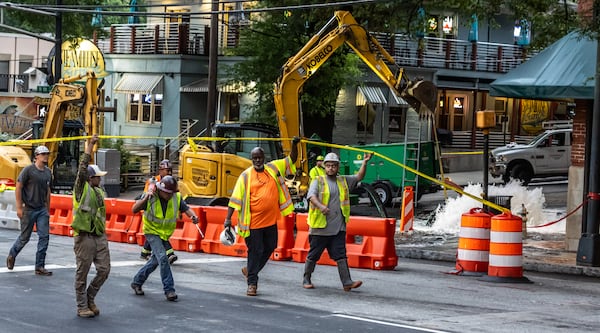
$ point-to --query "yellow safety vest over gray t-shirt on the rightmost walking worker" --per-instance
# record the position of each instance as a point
(318, 220)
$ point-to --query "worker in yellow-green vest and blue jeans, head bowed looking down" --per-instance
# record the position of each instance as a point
(160, 220)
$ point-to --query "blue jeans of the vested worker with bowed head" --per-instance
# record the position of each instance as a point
(159, 258)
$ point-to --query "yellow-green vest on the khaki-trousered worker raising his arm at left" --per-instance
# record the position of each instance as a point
(90, 212)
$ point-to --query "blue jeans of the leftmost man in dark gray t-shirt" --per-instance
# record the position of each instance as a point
(41, 219)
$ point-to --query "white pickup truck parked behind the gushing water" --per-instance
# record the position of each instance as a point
(547, 155)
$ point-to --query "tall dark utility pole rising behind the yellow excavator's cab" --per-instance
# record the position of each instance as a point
(212, 64)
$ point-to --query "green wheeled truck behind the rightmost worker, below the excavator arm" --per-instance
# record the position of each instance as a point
(388, 178)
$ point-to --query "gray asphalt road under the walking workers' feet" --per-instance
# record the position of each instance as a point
(417, 296)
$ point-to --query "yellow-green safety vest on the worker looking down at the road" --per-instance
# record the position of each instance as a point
(157, 222)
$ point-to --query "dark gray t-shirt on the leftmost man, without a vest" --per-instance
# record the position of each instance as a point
(36, 184)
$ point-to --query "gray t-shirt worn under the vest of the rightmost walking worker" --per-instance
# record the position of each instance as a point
(335, 219)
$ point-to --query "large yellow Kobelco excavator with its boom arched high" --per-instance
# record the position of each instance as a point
(208, 174)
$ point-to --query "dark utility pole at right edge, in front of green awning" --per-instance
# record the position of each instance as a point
(588, 251)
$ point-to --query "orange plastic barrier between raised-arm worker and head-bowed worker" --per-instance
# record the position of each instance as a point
(120, 220)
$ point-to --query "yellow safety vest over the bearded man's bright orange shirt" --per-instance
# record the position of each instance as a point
(240, 198)
